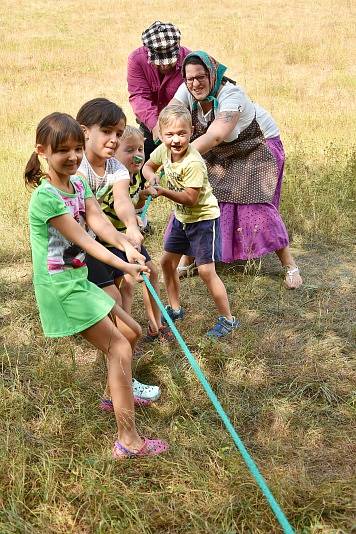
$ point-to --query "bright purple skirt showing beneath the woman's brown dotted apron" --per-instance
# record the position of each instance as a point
(251, 230)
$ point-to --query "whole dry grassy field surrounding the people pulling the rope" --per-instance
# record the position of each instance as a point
(287, 379)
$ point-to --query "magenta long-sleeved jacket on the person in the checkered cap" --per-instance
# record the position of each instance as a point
(149, 94)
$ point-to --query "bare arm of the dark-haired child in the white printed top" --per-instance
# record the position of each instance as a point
(125, 211)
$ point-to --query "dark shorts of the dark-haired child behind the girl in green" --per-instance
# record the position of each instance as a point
(104, 275)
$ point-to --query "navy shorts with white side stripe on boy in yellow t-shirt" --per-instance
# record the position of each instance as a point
(200, 239)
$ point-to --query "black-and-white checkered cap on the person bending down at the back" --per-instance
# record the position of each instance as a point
(162, 40)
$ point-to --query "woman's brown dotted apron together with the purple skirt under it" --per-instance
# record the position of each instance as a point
(246, 177)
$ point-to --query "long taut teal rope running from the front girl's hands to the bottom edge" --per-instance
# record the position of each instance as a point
(283, 521)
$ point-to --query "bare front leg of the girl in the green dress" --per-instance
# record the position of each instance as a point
(107, 338)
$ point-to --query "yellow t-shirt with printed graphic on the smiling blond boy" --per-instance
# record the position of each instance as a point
(190, 171)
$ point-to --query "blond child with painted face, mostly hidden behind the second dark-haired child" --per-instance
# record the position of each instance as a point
(130, 153)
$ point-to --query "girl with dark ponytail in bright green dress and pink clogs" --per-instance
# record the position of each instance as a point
(62, 209)
